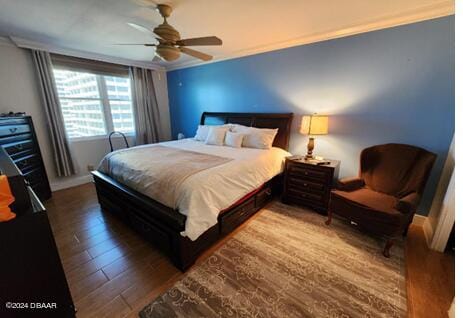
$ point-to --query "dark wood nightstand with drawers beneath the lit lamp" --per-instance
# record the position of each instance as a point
(308, 184)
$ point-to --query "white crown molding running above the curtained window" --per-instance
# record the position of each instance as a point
(29, 44)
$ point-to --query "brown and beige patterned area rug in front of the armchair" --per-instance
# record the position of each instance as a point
(287, 263)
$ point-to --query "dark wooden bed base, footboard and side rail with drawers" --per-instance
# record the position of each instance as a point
(162, 225)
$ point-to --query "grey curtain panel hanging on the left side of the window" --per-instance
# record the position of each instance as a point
(55, 122)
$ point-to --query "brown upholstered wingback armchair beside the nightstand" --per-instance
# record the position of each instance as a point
(384, 198)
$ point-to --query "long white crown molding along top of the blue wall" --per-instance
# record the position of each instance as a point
(433, 11)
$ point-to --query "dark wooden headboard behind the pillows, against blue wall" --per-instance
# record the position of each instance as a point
(258, 120)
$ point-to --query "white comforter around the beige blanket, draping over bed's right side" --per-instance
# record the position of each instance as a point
(203, 195)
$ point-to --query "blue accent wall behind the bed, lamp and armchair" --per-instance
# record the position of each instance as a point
(391, 85)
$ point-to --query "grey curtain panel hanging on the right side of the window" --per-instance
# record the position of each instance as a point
(145, 106)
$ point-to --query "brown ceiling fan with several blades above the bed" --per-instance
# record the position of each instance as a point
(169, 45)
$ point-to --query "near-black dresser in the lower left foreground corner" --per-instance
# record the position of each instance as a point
(32, 279)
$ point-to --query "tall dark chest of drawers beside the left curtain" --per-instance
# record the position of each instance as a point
(18, 138)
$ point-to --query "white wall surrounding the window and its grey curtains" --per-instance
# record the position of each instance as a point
(19, 93)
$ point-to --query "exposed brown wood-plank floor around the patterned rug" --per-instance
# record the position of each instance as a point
(112, 272)
